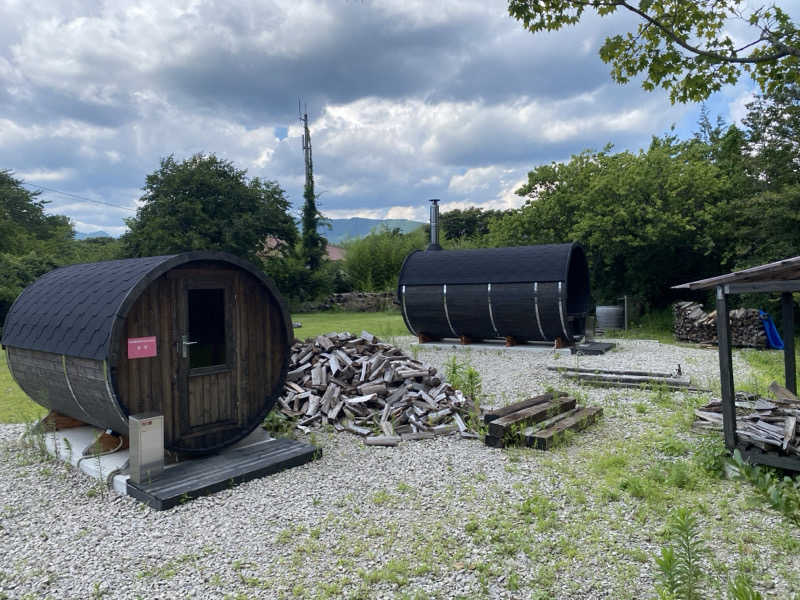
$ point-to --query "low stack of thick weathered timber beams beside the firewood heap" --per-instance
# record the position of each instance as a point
(537, 422)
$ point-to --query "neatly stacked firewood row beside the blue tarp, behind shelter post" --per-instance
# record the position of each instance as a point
(693, 324)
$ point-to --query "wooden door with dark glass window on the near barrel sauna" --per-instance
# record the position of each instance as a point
(208, 402)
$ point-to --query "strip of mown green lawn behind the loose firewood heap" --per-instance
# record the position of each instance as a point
(382, 324)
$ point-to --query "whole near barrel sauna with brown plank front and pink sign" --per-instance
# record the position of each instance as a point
(202, 338)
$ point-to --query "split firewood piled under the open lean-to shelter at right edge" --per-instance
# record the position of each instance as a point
(767, 424)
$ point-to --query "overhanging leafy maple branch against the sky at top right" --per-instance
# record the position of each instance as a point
(683, 46)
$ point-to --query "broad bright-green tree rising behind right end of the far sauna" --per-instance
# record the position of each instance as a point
(647, 220)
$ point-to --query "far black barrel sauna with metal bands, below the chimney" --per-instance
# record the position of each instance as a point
(524, 293)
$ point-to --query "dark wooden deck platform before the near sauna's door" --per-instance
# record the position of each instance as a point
(202, 476)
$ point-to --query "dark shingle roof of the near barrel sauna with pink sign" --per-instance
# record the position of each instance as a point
(72, 310)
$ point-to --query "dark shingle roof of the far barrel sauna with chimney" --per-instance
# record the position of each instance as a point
(548, 262)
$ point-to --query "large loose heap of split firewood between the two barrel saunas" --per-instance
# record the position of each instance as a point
(370, 388)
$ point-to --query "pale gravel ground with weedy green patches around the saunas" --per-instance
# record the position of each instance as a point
(441, 518)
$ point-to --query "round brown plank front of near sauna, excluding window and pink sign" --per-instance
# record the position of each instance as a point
(259, 350)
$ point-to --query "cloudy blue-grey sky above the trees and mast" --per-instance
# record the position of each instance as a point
(407, 100)
